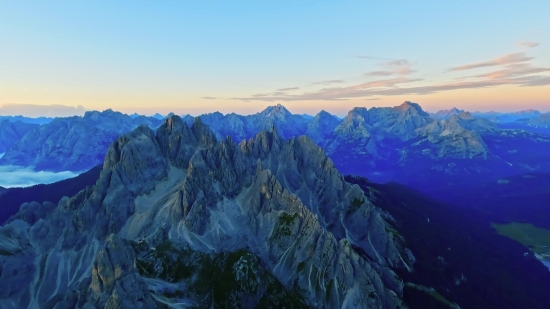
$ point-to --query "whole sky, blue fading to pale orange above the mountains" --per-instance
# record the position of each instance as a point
(241, 56)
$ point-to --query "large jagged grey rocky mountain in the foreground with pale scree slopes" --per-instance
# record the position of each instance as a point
(180, 219)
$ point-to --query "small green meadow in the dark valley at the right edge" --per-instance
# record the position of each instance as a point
(538, 239)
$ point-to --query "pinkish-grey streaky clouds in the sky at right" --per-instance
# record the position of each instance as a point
(514, 69)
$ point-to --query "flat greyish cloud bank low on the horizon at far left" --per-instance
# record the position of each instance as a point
(34, 110)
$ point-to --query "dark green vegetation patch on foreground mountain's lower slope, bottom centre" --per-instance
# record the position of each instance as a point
(223, 280)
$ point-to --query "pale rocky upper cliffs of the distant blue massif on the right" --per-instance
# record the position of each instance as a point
(380, 133)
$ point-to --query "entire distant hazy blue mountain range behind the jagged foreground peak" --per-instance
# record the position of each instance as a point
(403, 143)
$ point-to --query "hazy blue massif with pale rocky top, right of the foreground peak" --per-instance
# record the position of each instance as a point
(405, 144)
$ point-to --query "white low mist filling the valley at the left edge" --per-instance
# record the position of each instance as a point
(17, 176)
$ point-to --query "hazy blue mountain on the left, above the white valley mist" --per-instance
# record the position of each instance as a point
(72, 143)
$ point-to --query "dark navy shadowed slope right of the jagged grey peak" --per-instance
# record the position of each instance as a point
(458, 253)
